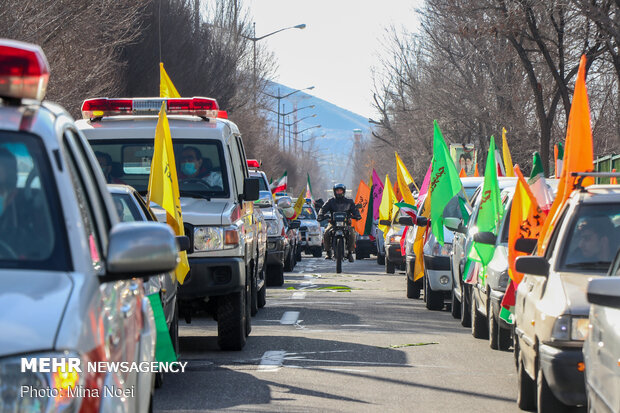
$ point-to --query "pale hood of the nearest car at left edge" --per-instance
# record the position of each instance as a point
(33, 303)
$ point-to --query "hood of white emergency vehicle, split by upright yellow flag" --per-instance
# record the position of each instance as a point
(197, 211)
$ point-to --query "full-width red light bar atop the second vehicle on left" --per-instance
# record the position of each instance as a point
(196, 106)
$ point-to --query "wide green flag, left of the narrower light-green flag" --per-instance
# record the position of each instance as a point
(445, 182)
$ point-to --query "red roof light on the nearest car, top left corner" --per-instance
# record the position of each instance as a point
(24, 71)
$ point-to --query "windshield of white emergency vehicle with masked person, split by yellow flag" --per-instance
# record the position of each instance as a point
(201, 170)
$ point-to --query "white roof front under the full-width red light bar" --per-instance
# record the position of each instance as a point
(143, 127)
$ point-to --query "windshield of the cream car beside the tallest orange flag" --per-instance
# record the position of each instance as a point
(593, 239)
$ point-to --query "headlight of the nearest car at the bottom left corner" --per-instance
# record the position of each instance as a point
(31, 391)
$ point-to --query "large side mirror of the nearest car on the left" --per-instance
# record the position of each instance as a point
(140, 249)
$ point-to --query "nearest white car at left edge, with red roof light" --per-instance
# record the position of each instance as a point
(71, 273)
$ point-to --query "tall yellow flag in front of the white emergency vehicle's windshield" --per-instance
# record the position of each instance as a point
(163, 186)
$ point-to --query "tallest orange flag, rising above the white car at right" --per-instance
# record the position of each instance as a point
(578, 153)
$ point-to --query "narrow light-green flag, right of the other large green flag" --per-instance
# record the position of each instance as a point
(490, 210)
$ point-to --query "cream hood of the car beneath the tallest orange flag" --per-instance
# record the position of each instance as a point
(573, 290)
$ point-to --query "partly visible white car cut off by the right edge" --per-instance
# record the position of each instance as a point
(601, 349)
